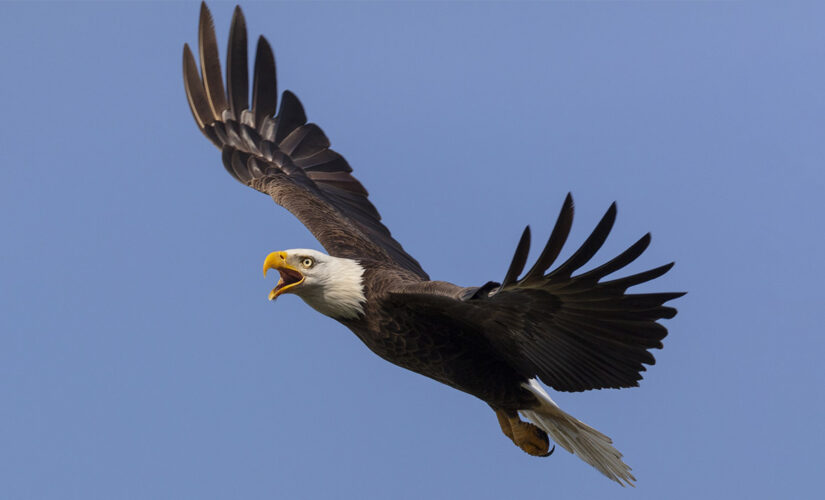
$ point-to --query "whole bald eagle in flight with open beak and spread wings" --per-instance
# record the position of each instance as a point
(574, 332)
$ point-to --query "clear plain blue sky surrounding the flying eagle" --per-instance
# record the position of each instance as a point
(139, 357)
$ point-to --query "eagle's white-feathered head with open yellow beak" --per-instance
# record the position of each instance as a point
(331, 285)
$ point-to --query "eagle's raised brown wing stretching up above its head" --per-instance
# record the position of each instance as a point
(282, 155)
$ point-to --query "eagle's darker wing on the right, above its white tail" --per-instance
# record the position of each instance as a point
(573, 332)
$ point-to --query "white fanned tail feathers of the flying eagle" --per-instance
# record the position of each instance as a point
(577, 437)
